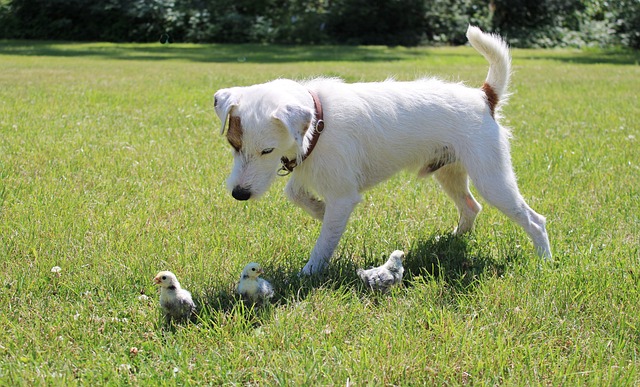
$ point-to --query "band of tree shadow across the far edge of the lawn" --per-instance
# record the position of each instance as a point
(258, 53)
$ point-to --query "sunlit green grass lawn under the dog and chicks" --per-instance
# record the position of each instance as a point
(112, 167)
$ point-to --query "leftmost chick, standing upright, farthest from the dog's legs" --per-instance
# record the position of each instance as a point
(176, 302)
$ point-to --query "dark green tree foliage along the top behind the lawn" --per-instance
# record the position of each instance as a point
(390, 22)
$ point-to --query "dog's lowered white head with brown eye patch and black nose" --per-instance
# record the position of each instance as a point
(266, 122)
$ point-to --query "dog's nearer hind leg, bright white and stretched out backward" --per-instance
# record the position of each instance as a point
(496, 182)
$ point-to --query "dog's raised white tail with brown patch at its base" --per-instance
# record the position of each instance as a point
(496, 51)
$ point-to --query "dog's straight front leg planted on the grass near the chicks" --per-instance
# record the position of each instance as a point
(336, 215)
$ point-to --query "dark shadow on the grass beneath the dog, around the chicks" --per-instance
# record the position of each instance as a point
(444, 257)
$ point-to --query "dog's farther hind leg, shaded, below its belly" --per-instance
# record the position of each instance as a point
(454, 181)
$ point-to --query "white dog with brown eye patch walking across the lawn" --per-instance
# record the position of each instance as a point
(369, 132)
